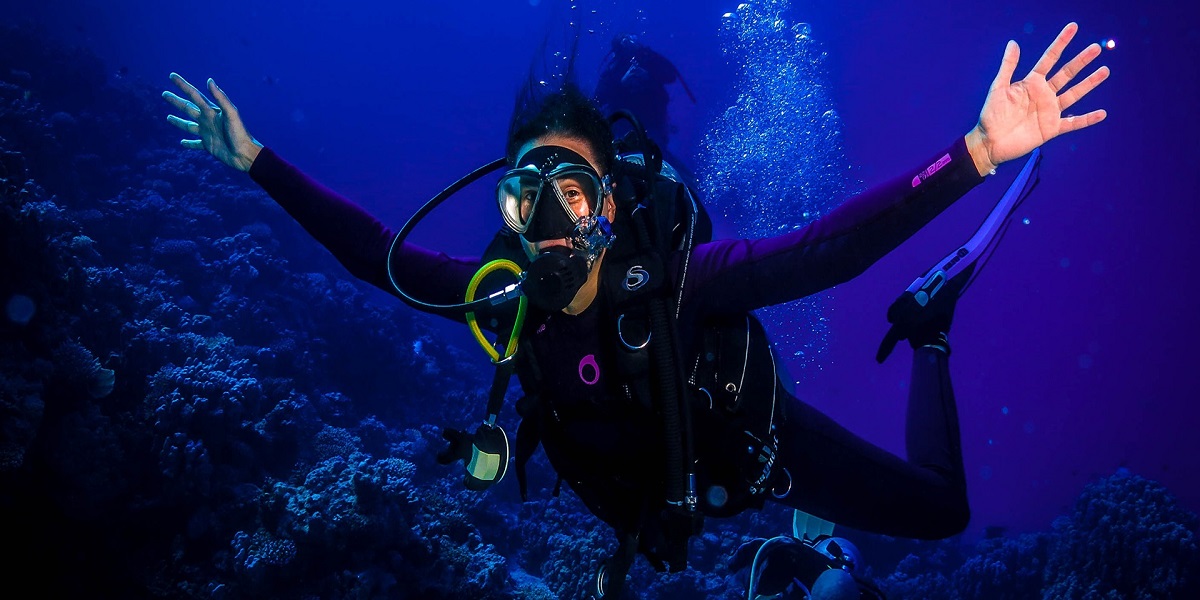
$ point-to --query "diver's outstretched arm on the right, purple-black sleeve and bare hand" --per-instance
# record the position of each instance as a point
(1016, 119)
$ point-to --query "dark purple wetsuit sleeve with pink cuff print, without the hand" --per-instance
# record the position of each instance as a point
(740, 275)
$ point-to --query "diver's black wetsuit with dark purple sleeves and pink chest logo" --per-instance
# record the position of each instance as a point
(617, 448)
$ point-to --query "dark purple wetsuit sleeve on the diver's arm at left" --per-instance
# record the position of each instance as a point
(358, 239)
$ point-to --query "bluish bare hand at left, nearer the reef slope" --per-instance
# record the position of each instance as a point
(219, 125)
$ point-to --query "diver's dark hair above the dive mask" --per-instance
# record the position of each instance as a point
(568, 112)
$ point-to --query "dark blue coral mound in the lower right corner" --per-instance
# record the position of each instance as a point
(1126, 538)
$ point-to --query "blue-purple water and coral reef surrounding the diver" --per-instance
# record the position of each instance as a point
(199, 403)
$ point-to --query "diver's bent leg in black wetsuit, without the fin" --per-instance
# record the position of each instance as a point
(845, 479)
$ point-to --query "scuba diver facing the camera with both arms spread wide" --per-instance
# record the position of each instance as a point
(653, 392)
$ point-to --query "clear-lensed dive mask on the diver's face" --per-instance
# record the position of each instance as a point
(544, 196)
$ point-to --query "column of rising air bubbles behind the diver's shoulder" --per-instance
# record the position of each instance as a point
(775, 157)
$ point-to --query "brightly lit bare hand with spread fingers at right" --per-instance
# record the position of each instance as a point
(1019, 117)
